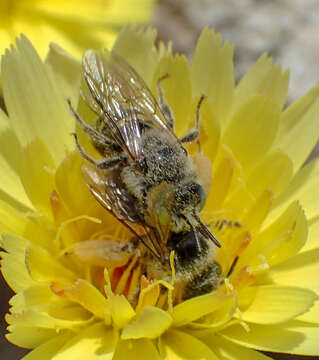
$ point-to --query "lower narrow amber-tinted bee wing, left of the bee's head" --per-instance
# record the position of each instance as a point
(111, 193)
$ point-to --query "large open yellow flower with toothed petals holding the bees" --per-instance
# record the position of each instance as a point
(262, 206)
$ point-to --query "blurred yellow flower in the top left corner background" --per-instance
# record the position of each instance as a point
(73, 24)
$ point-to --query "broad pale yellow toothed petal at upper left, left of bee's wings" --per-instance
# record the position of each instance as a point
(36, 107)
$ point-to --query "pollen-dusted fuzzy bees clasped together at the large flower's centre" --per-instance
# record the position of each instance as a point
(145, 177)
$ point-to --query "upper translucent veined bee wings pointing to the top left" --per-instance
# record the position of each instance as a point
(122, 96)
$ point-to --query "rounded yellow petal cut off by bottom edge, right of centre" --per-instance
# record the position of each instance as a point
(178, 345)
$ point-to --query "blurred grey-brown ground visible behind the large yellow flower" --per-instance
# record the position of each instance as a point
(286, 29)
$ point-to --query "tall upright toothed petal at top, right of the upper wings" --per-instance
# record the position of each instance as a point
(213, 73)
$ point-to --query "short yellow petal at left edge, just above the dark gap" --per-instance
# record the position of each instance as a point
(13, 266)
